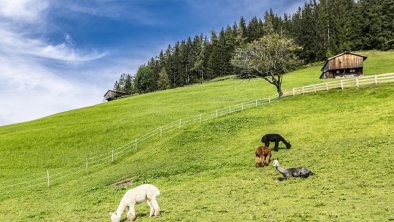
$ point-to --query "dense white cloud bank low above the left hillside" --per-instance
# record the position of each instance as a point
(30, 91)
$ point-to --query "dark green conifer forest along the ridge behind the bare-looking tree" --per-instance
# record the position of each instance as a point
(321, 28)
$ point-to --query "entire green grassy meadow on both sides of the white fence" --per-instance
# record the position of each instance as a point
(206, 172)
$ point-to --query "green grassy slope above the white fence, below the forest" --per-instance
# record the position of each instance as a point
(68, 138)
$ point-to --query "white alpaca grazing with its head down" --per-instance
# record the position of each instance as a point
(137, 195)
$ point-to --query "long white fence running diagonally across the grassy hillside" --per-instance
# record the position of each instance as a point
(48, 178)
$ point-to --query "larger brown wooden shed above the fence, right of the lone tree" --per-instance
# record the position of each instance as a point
(346, 64)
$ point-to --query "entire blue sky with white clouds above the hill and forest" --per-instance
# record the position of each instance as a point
(62, 55)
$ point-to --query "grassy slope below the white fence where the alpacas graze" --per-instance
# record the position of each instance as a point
(206, 172)
